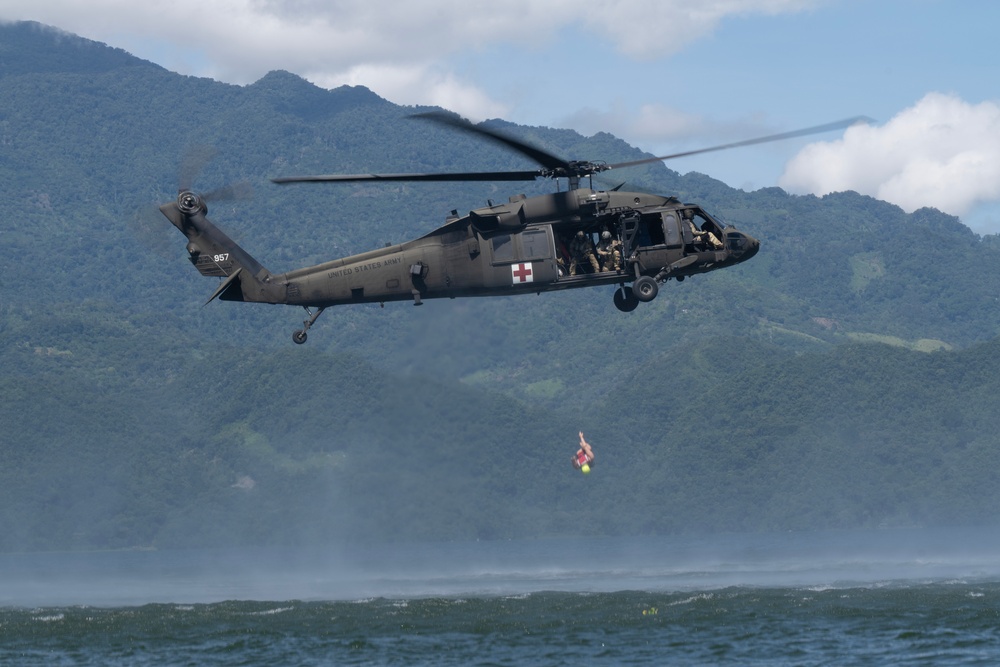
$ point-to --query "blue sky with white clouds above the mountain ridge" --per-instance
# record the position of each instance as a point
(664, 75)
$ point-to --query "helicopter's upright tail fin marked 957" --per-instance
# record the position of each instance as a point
(215, 254)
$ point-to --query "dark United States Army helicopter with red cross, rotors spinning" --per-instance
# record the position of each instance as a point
(519, 247)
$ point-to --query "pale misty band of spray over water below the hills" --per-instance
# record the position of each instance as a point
(835, 558)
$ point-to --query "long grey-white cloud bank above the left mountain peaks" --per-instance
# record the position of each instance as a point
(401, 50)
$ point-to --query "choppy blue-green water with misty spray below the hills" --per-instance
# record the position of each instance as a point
(845, 598)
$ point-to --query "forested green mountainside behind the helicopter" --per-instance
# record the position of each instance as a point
(844, 377)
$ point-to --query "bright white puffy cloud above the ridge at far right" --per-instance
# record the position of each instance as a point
(942, 152)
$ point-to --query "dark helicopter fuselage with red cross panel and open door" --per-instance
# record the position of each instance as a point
(517, 247)
